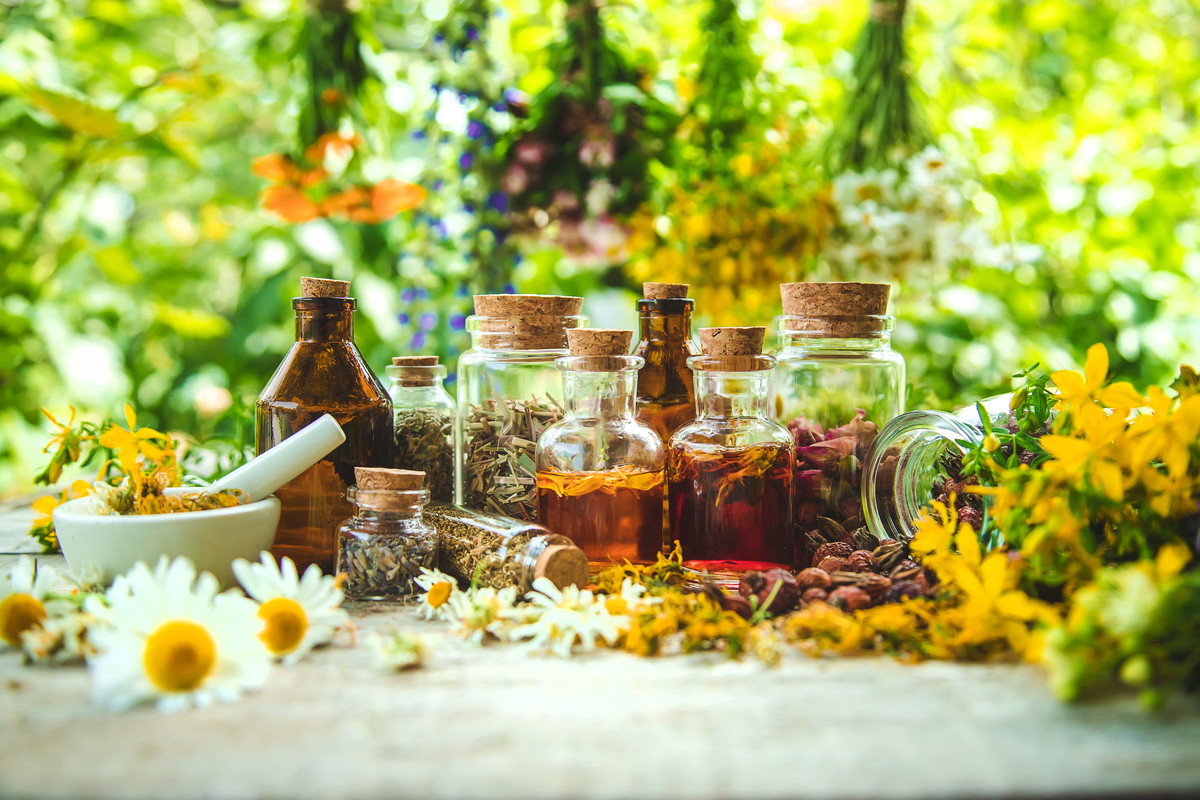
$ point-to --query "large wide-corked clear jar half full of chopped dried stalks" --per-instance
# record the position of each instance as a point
(508, 395)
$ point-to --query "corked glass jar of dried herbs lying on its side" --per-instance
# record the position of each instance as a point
(499, 552)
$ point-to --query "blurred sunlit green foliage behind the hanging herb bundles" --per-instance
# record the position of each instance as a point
(137, 266)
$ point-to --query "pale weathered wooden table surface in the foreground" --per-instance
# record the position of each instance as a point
(496, 721)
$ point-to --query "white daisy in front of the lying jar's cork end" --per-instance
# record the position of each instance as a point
(567, 617)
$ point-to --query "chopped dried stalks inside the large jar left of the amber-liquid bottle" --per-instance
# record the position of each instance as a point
(501, 473)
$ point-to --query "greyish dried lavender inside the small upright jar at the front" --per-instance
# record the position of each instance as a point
(383, 566)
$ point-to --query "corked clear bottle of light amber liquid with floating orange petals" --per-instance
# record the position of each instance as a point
(601, 471)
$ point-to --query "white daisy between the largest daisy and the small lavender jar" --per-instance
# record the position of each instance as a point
(301, 612)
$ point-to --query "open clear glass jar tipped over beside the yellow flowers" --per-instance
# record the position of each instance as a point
(913, 462)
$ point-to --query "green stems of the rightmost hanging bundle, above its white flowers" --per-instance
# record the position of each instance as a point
(880, 123)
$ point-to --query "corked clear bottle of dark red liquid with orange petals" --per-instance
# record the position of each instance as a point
(730, 471)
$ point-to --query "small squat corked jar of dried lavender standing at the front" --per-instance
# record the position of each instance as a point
(387, 543)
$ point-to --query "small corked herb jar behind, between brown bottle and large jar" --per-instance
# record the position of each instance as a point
(423, 416)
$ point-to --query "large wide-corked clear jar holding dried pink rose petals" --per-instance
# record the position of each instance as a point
(837, 382)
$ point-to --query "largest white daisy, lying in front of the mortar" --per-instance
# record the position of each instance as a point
(173, 639)
